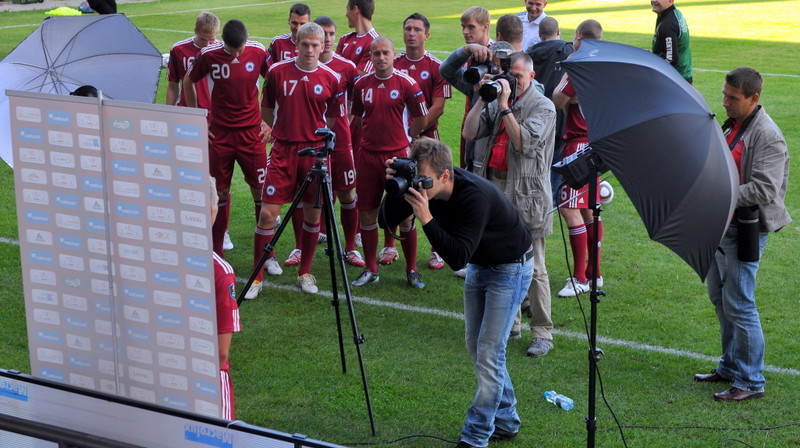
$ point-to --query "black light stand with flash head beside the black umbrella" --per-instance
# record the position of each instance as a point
(580, 169)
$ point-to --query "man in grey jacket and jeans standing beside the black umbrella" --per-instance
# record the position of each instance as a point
(762, 158)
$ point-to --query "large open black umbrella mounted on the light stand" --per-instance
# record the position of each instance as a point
(658, 136)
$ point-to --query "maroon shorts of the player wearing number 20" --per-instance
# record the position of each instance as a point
(241, 145)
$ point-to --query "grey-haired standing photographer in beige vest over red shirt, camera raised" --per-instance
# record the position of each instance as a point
(520, 123)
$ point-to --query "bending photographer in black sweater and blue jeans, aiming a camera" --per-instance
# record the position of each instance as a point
(469, 220)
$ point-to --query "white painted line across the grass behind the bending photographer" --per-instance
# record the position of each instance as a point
(567, 334)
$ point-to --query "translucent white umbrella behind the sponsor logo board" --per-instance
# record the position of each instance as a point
(64, 53)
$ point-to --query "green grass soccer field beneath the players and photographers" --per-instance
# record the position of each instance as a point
(656, 324)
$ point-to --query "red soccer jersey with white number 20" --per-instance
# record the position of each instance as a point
(233, 82)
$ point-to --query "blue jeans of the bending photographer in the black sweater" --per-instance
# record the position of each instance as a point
(492, 296)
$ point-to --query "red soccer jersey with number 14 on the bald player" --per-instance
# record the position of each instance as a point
(384, 106)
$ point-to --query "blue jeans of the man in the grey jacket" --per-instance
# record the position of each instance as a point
(731, 288)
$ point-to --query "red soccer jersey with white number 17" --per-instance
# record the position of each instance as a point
(301, 100)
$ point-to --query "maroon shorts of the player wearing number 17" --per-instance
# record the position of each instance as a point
(286, 172)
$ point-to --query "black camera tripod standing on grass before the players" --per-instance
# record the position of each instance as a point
(323, 198)
